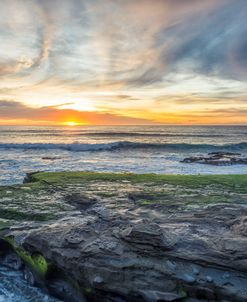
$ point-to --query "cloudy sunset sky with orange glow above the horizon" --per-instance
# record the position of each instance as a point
(123, 62)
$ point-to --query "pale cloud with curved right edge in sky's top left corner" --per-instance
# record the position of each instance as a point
(38, 28)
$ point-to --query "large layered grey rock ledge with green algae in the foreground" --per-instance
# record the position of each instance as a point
(126, 237)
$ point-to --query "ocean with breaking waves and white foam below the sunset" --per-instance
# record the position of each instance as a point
(137, 149)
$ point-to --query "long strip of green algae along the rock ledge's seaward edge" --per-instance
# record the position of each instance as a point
(232, 181)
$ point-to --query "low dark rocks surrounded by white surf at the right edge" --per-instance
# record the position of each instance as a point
(218, 159)
